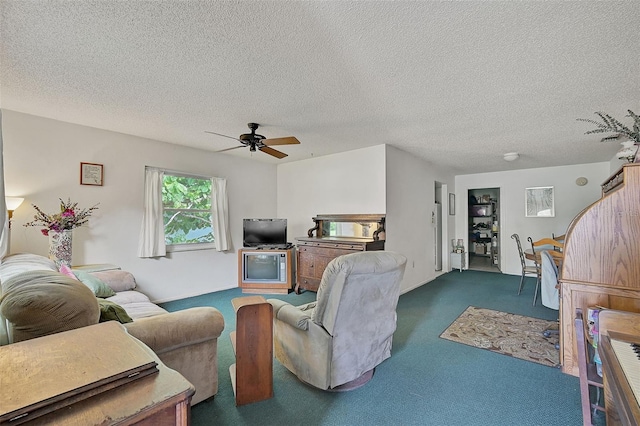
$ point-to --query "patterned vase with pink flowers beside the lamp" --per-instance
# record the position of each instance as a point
(59, 226)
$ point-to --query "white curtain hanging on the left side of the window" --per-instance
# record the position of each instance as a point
(152, 242)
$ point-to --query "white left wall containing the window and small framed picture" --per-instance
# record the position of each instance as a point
(42, 163)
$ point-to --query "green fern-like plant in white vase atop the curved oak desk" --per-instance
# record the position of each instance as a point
(629, 136)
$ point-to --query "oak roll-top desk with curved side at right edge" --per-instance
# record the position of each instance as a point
(602, 257)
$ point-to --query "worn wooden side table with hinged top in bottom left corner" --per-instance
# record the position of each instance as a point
(32, 372)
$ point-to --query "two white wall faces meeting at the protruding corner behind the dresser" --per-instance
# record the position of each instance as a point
(380, 179)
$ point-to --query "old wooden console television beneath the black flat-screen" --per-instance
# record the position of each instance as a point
(265, 271)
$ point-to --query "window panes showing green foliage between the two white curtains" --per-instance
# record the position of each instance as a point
(186, 211)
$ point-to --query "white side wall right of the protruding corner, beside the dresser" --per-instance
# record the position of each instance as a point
(410, 202)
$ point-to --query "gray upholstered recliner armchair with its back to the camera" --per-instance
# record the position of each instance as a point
(337, 341)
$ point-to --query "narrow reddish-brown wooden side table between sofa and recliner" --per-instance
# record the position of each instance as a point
(252, 374)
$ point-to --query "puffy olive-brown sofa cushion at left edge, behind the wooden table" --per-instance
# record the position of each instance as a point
(38, 303)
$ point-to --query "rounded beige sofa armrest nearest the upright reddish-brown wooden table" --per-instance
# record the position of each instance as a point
(173, 330)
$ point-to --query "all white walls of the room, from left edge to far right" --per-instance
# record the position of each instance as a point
(42, 160)
